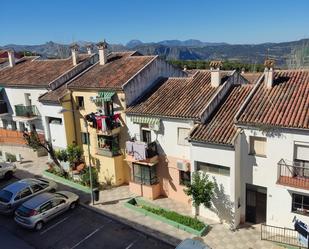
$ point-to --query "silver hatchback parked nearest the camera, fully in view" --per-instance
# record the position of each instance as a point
(34, 213)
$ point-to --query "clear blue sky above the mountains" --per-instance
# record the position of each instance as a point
(237, 21)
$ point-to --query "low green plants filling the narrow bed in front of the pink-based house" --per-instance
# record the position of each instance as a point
(171, 215)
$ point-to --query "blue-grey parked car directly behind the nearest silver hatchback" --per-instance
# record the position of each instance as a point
(18, 192)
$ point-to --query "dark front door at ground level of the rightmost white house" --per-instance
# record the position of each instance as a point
(256, 201)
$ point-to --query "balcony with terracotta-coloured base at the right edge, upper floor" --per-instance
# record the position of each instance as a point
(293, 175)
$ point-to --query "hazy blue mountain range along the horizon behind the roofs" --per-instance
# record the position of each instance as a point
(283, 52)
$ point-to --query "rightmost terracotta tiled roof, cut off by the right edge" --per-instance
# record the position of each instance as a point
(286, 104)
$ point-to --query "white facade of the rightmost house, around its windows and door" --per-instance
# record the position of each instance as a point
(263, 171)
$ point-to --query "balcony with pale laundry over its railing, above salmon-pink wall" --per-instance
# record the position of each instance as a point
(142, 152)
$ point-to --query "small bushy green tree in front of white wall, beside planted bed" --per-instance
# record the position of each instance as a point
(201, 190)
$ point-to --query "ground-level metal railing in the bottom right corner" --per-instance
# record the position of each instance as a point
(281, 235)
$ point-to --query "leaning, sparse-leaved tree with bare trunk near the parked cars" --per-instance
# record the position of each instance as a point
(33, 140)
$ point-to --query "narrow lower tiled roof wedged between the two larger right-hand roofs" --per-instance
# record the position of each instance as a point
(220, 127)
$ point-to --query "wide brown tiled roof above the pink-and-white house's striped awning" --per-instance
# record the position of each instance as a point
(177, 97)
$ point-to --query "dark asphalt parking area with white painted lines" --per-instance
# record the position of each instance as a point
(80, 228)
